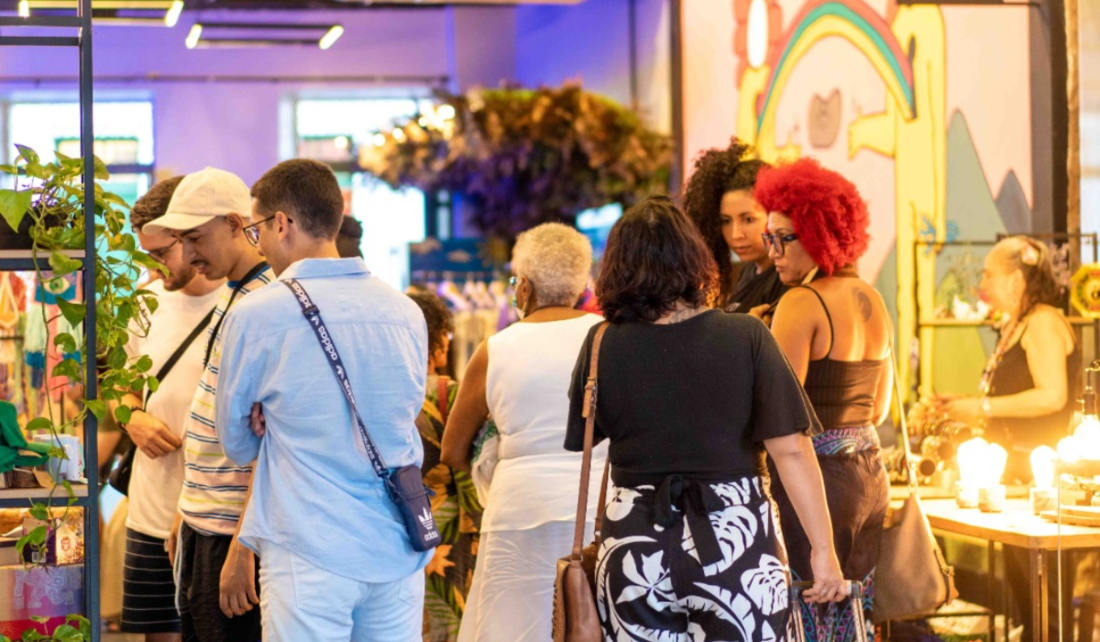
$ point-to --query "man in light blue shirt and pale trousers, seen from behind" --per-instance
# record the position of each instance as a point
(337, 563)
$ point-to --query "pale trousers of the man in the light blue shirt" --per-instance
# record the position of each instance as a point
(301, 602)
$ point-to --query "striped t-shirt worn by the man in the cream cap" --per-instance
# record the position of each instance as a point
(215, 489)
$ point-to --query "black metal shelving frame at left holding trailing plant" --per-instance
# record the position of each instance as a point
(13, 261)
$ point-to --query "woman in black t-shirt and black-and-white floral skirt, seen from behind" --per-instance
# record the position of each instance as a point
(691, 400)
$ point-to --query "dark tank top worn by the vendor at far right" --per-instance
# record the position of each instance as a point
(1013, 377)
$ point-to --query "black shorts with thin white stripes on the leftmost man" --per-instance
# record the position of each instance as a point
(149, 590)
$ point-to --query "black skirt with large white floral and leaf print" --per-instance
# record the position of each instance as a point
(695, 562)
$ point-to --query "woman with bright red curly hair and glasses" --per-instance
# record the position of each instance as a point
(835, 331)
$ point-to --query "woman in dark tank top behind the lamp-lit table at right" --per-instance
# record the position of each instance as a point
(1029, 388)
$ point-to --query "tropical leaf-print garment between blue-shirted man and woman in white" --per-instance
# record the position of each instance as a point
(458, 514)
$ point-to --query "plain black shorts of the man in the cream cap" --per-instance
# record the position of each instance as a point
(201, 562)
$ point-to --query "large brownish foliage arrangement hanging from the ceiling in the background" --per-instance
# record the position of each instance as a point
(525, 157)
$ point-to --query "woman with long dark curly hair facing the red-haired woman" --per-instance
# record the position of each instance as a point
(719, 198)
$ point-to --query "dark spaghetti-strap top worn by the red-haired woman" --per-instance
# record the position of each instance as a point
(843, 393)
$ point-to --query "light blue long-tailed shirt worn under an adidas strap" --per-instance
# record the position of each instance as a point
(315, 492)
